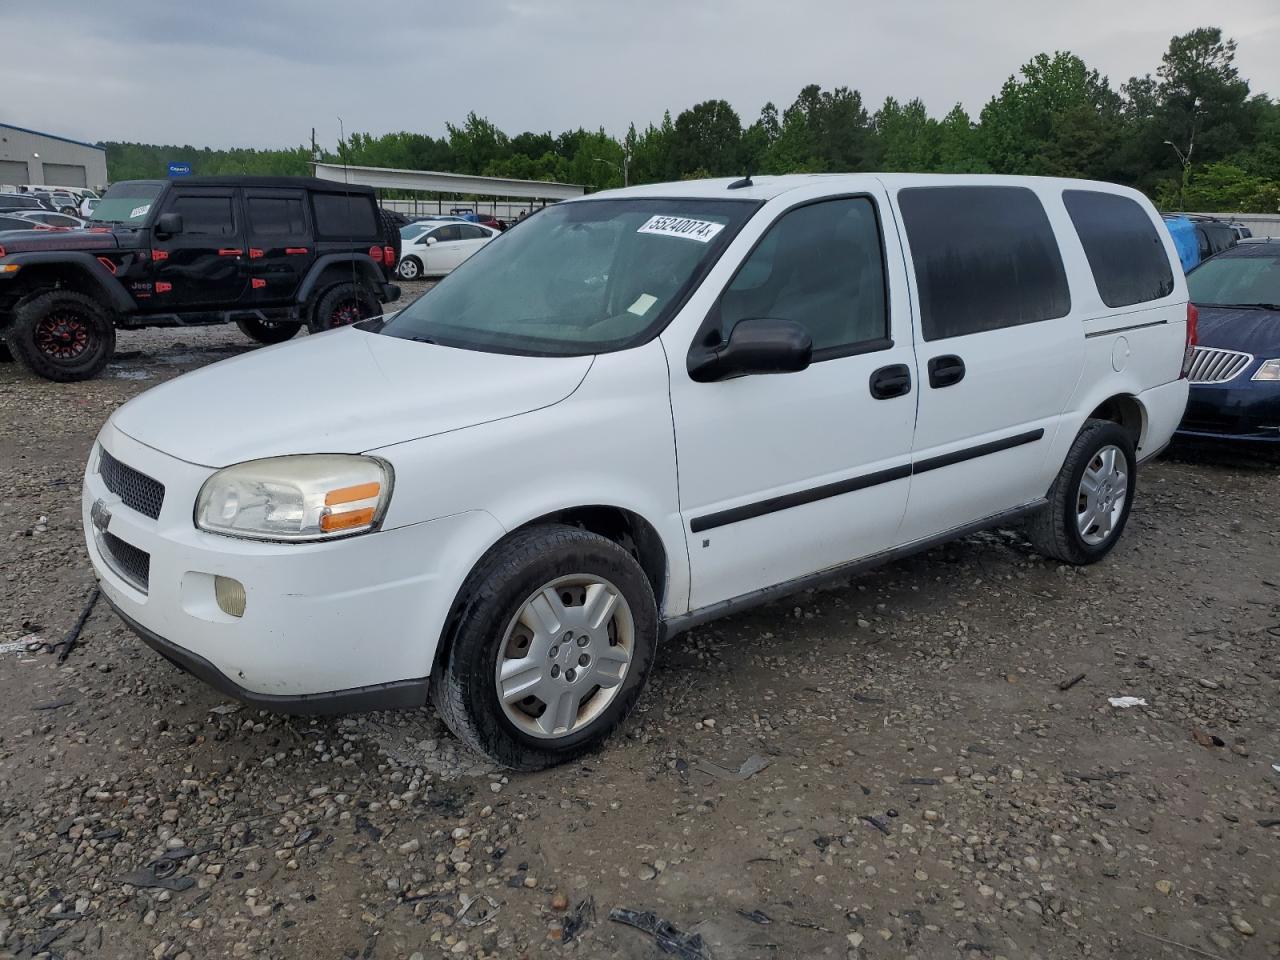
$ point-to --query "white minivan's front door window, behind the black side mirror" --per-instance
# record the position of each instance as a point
(821, 267)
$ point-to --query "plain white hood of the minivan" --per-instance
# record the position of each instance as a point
(342, 392)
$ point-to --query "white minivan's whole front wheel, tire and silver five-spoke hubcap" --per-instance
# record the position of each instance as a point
(551, 651)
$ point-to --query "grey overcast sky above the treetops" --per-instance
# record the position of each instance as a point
(266, 72)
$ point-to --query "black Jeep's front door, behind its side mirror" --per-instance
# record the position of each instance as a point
(207, 264)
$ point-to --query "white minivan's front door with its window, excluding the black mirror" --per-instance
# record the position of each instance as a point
(790, 474)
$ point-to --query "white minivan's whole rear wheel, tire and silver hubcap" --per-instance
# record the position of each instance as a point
(1089, 504)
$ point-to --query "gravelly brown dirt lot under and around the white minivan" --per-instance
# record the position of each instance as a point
(931, 789)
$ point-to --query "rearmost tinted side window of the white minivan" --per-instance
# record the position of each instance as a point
(1126, 253)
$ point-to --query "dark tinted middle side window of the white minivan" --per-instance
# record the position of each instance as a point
(986, 258)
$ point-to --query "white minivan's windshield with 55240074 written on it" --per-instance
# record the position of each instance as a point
(584, 277)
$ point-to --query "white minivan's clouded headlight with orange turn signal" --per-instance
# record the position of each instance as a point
(313, 497)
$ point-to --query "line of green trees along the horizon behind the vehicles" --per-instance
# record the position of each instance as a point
(1192, 135)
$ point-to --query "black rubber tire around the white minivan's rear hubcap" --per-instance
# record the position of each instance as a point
(1055, 531)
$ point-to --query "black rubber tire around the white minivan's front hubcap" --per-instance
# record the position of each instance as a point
(463, 684)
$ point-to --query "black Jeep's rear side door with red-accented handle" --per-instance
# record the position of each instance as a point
(280, 244)
